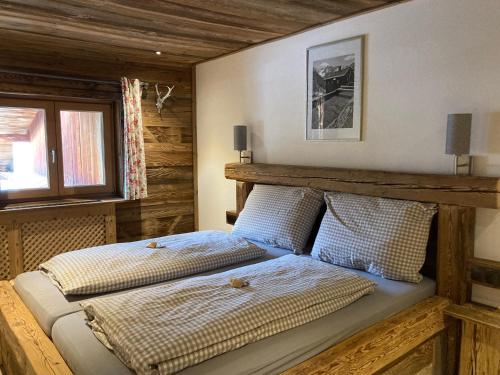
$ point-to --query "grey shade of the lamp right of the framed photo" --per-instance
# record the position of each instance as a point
(458, 134)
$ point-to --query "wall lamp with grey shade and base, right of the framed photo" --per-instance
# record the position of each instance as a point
(458, 141)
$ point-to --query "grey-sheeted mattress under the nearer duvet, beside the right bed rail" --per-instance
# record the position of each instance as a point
(86, 355)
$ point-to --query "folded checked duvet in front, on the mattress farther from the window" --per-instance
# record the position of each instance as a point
(167, 328)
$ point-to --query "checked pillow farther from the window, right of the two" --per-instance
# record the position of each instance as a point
(386, 237)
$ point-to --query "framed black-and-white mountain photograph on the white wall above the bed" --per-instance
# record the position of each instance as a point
(334, 90)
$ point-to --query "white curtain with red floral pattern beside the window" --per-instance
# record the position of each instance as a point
(135, 163)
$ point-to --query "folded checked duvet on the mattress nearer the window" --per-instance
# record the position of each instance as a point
(125, 265)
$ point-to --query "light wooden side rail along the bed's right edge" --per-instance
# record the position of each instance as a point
(380, 345)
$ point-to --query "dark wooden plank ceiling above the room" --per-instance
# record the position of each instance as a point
(105, 34)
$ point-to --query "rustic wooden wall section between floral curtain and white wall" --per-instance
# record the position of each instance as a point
(169, 150)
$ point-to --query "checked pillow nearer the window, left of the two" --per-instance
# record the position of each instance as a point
(279, 215)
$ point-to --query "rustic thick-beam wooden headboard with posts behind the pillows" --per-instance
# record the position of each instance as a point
(457, 198)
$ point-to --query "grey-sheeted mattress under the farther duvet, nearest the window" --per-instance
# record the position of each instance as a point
(47, 303)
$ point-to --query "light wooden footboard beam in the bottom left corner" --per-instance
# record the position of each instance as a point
(24, 347)
